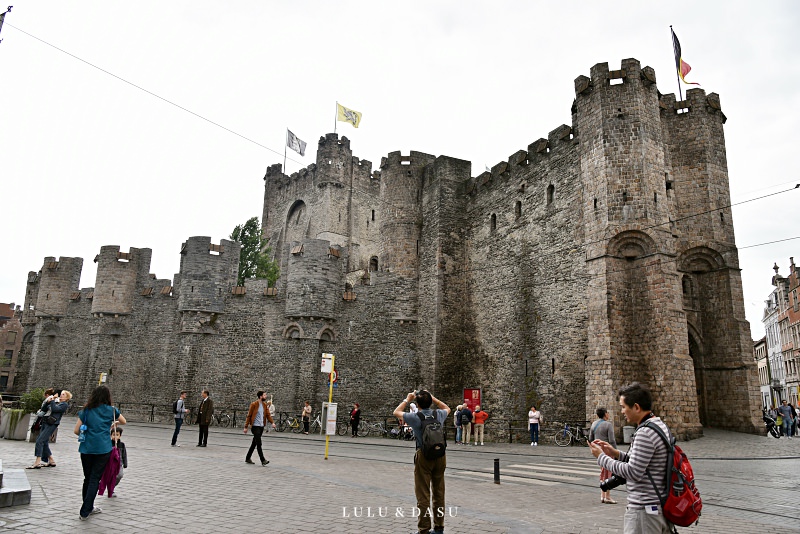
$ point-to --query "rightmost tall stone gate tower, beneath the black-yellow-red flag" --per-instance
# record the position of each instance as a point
(708, 262)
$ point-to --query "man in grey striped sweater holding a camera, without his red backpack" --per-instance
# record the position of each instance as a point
(647, 455)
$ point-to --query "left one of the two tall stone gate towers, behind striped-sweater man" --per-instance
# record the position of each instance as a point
(636, 328)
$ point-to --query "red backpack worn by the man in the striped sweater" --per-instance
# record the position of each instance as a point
(682, 503)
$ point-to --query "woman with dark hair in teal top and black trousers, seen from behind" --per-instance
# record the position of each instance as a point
(95, 422)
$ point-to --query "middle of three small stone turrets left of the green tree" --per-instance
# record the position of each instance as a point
(118, 276)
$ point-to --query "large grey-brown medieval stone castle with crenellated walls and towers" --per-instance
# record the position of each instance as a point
(599, 255)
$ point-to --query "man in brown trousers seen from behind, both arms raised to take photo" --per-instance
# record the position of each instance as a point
(428, 469)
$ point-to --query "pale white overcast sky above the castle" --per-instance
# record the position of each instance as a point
(88, 160)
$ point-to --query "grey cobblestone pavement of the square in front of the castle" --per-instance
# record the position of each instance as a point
(748, 483)
